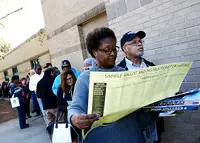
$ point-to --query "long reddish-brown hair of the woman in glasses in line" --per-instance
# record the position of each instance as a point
(64, 85)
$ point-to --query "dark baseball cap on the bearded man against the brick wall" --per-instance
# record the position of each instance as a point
(130, 35)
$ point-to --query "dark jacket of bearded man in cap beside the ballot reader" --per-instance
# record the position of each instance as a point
(159, 121)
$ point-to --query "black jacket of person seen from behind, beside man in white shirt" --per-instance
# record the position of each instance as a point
(44, 92)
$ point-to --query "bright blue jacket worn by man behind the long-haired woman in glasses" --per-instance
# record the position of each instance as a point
(57, 81)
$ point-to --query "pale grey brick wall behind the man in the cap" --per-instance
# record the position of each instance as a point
(173, 35)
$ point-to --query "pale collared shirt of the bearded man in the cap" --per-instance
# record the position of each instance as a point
(131, 66)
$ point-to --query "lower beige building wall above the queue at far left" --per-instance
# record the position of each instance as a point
(21, 56)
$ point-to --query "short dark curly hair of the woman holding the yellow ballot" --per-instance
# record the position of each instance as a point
(94, 38)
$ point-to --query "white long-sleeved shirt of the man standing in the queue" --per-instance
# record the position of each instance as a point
(34, 81)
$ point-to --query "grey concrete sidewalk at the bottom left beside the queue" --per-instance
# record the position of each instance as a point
(36, 133)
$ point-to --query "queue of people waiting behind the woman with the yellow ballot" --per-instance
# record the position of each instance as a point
(40, 87)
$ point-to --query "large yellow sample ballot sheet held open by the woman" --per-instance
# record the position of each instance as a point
(114, 95)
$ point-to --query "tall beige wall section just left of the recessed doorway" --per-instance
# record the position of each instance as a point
(63, 20)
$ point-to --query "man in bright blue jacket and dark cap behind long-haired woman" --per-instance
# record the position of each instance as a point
(65, 65)
